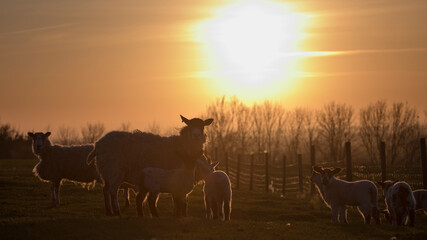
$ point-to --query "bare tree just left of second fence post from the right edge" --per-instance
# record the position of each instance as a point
(373, 128)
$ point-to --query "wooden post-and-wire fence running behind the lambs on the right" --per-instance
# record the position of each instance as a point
(258, 172)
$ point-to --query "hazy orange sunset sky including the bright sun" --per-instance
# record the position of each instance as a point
(67, 63)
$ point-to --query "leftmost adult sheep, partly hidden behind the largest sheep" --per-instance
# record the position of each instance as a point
(57, 163)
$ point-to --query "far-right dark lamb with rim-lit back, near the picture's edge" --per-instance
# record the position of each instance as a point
(400, 202)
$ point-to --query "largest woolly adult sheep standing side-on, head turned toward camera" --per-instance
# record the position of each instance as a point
(120, 156)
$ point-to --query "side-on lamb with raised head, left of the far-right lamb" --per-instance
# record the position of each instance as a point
(337, 194)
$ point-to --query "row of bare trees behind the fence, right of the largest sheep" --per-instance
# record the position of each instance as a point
(269, 126)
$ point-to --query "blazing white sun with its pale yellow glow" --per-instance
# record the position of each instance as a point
(250, 48)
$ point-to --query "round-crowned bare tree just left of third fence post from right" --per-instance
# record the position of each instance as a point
(335, 127)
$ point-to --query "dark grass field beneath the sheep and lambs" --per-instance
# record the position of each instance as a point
(24, 214)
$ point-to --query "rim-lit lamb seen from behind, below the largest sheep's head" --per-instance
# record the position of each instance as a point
(217, 191)
